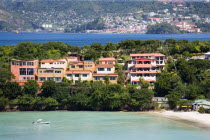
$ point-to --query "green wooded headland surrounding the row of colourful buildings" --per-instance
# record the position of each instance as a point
(181, 78)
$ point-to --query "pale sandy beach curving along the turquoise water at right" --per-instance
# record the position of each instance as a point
(198, 119)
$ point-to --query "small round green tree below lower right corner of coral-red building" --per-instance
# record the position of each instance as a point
(31, 87)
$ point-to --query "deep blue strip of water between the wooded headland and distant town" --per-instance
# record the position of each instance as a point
(7, 38)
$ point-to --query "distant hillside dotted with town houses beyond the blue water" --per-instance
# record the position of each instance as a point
(105, 16)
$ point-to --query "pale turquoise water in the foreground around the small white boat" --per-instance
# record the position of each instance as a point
(66, 125)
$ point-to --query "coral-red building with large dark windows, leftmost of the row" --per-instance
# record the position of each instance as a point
(24, 70)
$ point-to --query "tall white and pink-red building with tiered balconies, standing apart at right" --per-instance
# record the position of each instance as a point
(144, 66)
